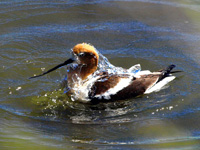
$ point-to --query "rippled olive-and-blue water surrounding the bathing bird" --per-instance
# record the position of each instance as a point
(37, 35)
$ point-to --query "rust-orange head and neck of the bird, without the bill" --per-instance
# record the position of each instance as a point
(88, 57)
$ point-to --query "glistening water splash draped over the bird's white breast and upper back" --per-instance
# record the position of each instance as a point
(80, 88)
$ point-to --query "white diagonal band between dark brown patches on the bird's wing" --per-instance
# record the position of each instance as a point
(124, 82)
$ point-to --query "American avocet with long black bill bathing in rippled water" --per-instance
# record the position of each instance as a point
(86, 82)
